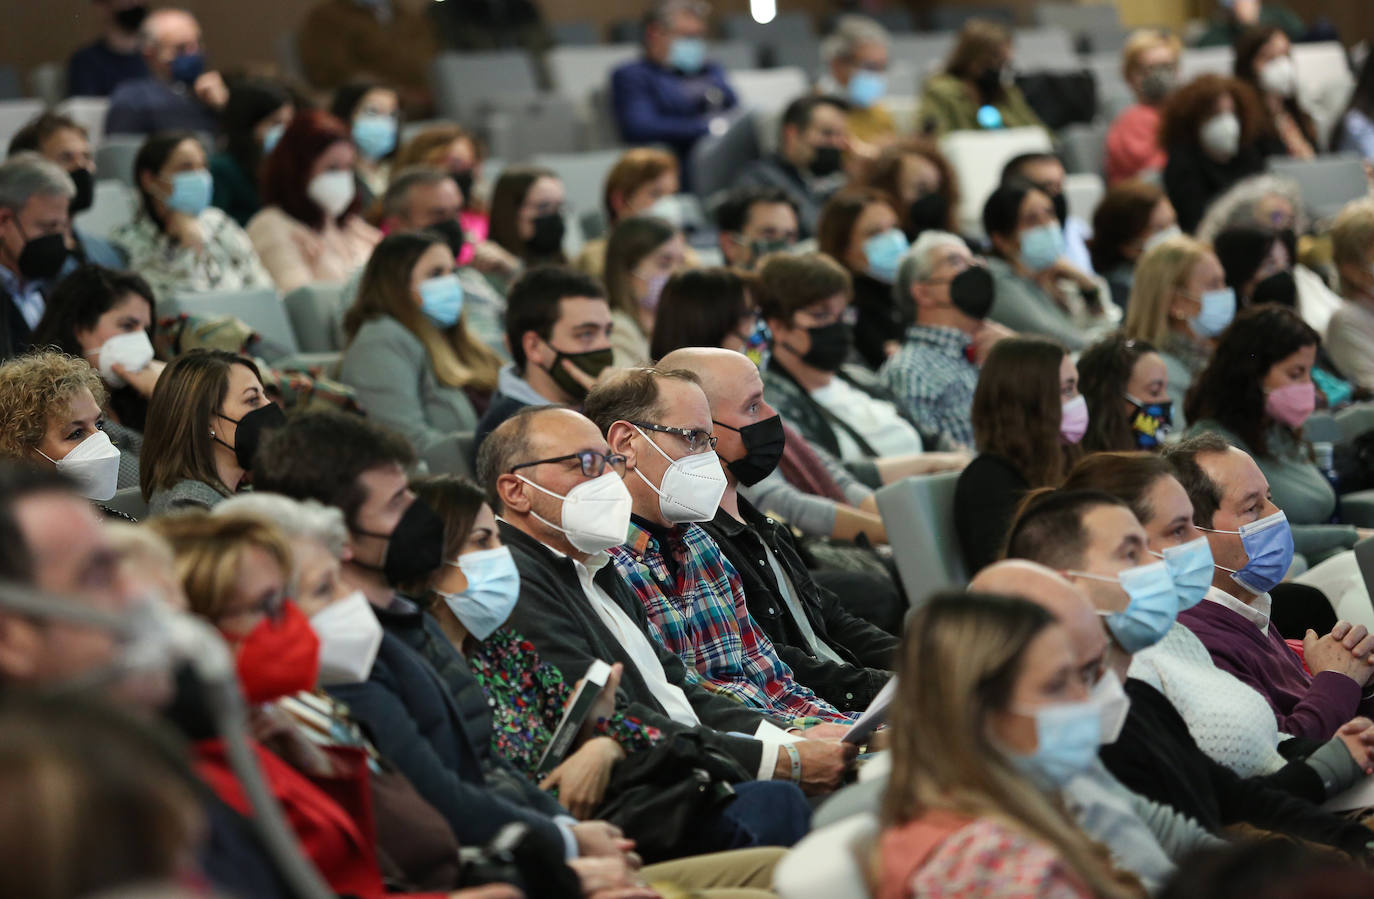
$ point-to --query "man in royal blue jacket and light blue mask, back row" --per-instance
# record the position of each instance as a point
(674, 94)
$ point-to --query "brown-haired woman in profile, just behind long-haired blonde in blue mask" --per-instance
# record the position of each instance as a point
(1131, 218)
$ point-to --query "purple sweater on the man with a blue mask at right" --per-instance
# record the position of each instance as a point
(1305, 706)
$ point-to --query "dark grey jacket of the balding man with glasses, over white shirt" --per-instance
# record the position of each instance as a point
(553, 612)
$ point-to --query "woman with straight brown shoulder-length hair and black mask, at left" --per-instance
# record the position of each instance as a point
(205, 421)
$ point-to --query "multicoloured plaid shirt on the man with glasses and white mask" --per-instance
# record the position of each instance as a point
(697, 610)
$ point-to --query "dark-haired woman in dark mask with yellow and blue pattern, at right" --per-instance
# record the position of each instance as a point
(1127, 387)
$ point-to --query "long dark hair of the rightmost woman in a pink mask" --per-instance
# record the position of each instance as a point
(1230, 390)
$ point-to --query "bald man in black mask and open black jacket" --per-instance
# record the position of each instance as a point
(839, 655)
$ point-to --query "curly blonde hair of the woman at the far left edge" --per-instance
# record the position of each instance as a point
(36, 391)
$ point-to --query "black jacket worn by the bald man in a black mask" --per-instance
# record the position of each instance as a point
(868, 651)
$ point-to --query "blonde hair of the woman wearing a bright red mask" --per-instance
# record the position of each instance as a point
(210, 553)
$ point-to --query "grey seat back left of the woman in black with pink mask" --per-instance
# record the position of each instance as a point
(919, 515)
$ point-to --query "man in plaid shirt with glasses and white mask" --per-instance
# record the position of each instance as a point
(692, 595)
